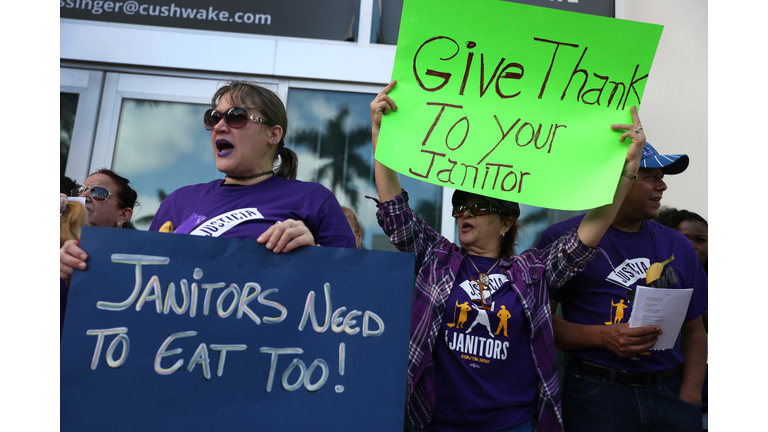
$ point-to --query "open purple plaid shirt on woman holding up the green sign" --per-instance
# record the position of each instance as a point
(531, 275)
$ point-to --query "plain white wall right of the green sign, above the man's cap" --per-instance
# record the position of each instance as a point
(674, 106)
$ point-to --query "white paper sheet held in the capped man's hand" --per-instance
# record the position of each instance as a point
(661, 307)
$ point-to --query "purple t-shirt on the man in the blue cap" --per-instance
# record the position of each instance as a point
(599, 294)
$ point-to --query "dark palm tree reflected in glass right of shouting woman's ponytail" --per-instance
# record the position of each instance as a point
(338, 146)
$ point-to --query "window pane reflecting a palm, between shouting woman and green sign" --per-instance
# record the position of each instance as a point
(330, 131)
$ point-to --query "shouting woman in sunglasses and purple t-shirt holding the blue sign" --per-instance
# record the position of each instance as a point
(259, 198)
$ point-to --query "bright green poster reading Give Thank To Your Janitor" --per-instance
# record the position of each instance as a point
(515, 101)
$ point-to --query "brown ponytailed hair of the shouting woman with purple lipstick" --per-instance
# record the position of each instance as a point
(273, 109)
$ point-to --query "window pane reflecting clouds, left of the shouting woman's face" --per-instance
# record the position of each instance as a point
(160, 147)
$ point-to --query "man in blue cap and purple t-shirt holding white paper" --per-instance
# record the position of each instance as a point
(613, 379)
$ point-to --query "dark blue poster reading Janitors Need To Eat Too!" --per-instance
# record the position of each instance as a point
(177, 332)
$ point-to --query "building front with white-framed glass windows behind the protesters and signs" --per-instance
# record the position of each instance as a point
(136, 77)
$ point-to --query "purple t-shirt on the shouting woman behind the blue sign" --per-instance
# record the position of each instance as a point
(210, 209)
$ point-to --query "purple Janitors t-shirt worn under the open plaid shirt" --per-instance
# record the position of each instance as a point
(474, 352)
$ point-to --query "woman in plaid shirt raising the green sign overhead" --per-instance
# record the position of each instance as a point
(482, 351)
